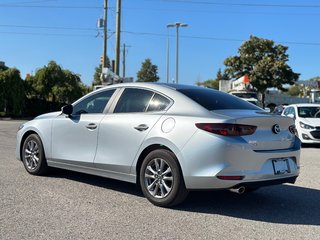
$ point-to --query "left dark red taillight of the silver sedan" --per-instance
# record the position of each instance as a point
(227, 129)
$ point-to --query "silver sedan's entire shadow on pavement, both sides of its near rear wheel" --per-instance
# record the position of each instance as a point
(284, 204)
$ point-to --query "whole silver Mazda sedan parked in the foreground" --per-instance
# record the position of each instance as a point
(168, 139)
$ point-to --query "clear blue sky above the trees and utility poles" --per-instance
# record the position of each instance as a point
(34, 32)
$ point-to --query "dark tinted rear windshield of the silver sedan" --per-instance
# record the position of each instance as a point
(216, 100)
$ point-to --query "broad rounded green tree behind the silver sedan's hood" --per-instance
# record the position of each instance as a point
(52, 83)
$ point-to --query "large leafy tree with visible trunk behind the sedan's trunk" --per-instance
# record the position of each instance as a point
(264, 62)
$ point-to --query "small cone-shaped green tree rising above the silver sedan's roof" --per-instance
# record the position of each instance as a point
(148, 72)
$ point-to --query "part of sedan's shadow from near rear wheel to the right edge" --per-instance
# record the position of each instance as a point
(285, 204)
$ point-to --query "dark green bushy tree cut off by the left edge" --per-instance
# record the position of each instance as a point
(11, 92)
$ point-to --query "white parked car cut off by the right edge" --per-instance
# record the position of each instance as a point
(307, 121)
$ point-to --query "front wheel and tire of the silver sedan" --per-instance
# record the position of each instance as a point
(33, 157)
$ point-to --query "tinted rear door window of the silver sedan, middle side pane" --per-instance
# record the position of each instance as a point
(133, 100)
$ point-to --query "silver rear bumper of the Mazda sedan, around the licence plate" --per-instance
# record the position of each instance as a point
(202, 166)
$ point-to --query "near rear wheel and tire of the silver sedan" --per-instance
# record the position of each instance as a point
(161, 179)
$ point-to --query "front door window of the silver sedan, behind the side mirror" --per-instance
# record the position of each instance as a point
(93, 104)
